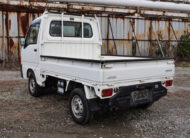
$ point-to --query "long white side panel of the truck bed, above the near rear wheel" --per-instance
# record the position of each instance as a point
(71, 69)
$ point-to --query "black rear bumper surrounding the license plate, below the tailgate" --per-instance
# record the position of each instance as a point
(124, 99)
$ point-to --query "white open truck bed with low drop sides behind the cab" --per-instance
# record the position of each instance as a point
(109, 70)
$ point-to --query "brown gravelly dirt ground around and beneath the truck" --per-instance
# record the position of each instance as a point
(23, 116)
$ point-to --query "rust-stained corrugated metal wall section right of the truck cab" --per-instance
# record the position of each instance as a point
(147, 32)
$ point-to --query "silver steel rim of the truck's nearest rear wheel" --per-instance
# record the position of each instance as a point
(77, 106)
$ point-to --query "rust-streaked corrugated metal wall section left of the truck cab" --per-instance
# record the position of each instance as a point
(15, 27)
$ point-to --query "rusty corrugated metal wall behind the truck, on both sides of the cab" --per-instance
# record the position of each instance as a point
(118, 33)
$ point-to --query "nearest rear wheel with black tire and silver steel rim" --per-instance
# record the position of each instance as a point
(85, 115)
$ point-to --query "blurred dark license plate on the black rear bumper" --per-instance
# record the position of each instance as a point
(140, 95)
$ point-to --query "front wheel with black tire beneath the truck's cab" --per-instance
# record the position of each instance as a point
(33, 88)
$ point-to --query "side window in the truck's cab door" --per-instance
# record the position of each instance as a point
(32, 34)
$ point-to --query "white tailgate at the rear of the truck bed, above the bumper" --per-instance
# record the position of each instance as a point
(141, 71)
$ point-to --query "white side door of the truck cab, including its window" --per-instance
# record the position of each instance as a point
(30, 52)
